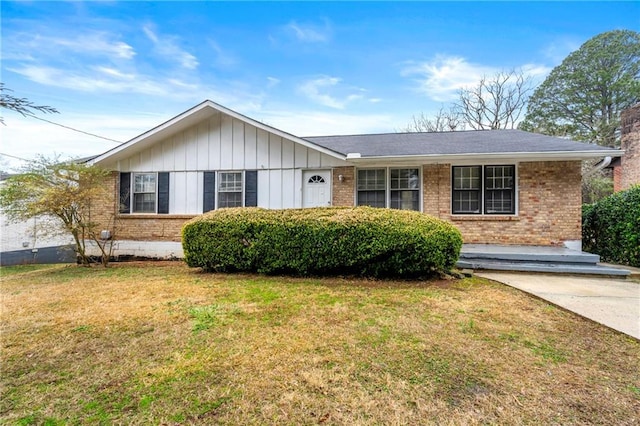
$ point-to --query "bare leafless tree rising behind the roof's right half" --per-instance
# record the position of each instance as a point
(495, 103)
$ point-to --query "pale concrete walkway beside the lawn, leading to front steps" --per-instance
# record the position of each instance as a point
(612, 302)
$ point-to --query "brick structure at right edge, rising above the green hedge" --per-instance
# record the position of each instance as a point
(630, 168)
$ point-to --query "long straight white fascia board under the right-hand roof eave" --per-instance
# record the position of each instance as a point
(500, 156)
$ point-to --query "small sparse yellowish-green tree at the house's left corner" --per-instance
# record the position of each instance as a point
(67, 191)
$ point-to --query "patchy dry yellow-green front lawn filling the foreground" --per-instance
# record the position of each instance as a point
(159, 343)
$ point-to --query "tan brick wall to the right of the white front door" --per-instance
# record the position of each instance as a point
(549, 205)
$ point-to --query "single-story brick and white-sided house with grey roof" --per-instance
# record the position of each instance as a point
(496, 186)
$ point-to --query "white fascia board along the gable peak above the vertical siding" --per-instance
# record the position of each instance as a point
(189, 118)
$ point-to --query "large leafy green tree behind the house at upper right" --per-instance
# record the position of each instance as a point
(583, 96)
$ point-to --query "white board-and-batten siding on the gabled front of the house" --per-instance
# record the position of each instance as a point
(224, 143)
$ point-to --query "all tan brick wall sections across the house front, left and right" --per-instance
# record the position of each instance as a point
(549, 207)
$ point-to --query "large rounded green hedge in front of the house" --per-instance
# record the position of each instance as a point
(321, 241)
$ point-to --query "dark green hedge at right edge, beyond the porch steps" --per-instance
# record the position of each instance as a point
(611, 227)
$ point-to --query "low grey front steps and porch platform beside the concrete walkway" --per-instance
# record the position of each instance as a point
(557, 260)
